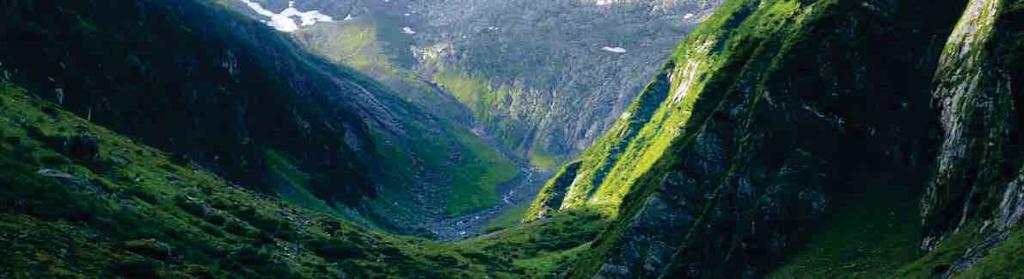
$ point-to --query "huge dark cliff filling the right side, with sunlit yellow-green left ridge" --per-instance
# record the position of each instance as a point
(776, 116)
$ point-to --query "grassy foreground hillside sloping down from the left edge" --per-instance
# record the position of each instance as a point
(80, 202)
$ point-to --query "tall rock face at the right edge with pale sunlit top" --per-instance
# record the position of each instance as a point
(978, 93)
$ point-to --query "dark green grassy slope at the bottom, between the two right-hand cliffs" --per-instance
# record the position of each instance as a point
(871, 234)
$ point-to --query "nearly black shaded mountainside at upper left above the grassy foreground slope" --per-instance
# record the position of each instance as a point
(192, 79)
